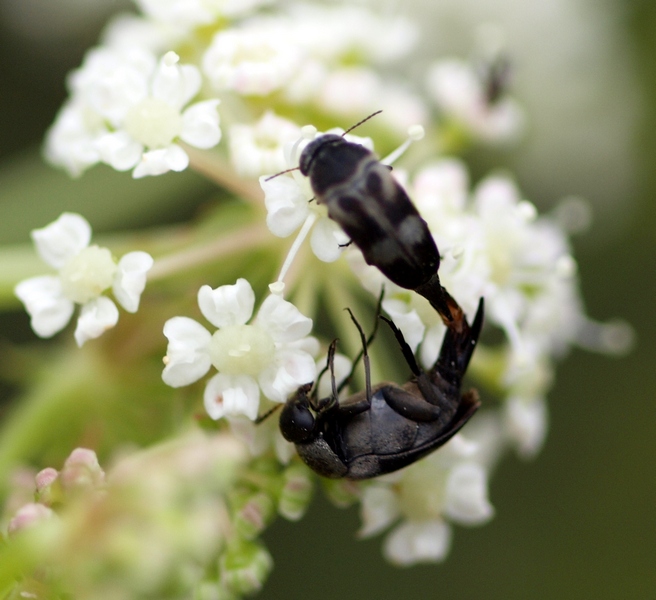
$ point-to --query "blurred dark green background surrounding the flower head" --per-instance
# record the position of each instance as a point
(580, 520)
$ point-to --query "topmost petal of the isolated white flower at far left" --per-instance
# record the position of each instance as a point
(62, 239)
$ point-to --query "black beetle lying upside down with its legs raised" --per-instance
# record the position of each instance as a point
(385, 427)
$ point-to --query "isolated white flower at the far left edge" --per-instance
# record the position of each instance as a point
(84, 273)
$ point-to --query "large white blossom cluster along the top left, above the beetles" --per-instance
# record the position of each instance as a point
(130, 109)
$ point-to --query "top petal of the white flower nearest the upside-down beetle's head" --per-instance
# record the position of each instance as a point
(227, 304)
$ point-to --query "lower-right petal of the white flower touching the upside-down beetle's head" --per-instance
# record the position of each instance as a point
(290, 370)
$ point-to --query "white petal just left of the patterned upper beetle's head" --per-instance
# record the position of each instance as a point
(287, 205)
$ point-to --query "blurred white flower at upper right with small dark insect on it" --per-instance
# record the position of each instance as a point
(460, 93)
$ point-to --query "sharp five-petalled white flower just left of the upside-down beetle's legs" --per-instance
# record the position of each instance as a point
(269, 354)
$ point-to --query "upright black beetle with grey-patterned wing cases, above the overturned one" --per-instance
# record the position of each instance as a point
(363, 197)
